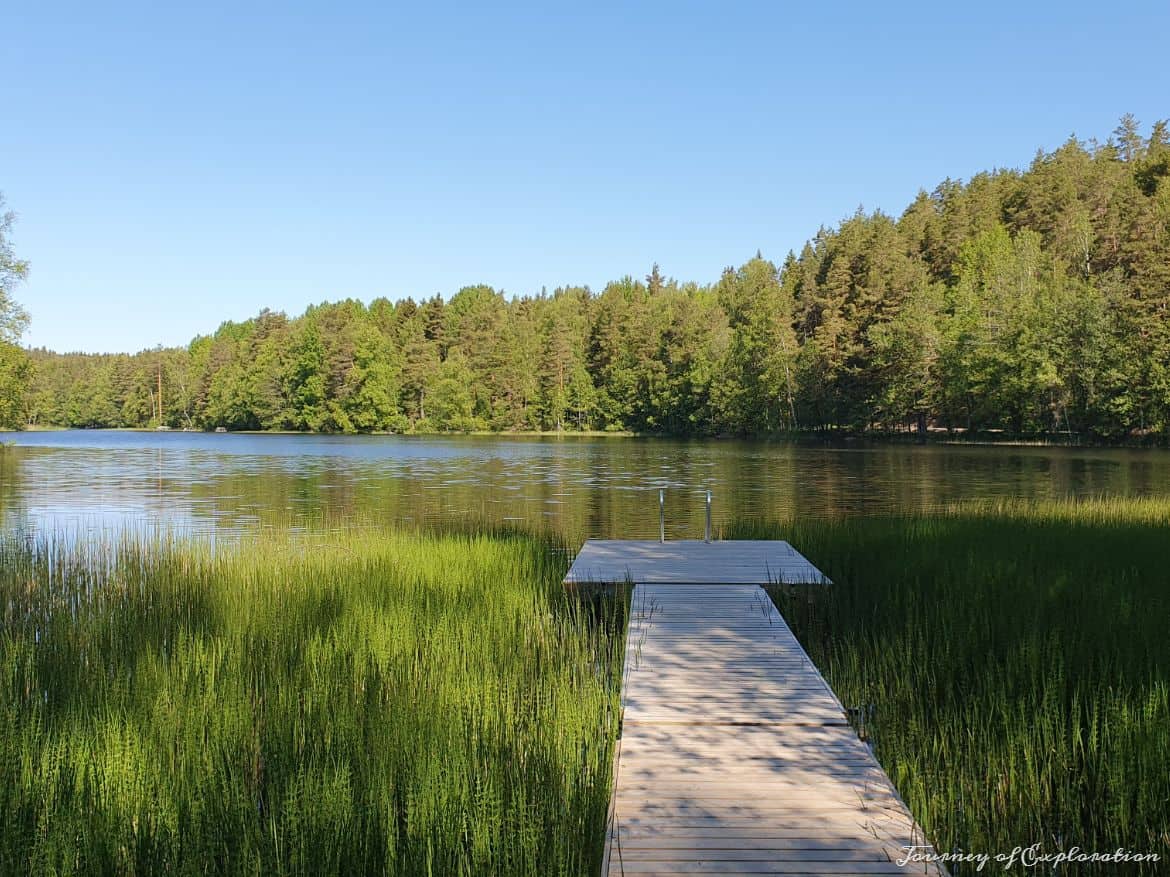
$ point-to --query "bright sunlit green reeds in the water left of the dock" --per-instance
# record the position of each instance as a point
(369, 703)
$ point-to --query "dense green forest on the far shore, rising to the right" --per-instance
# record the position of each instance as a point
(1026, 301)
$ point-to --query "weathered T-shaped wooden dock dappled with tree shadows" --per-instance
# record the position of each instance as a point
(735, 756)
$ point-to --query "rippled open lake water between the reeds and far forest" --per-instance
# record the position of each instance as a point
(584, 487)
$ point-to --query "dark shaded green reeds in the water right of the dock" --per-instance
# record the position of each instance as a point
(1010, 666)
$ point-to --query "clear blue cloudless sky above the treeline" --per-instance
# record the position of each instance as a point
(177, 165)
